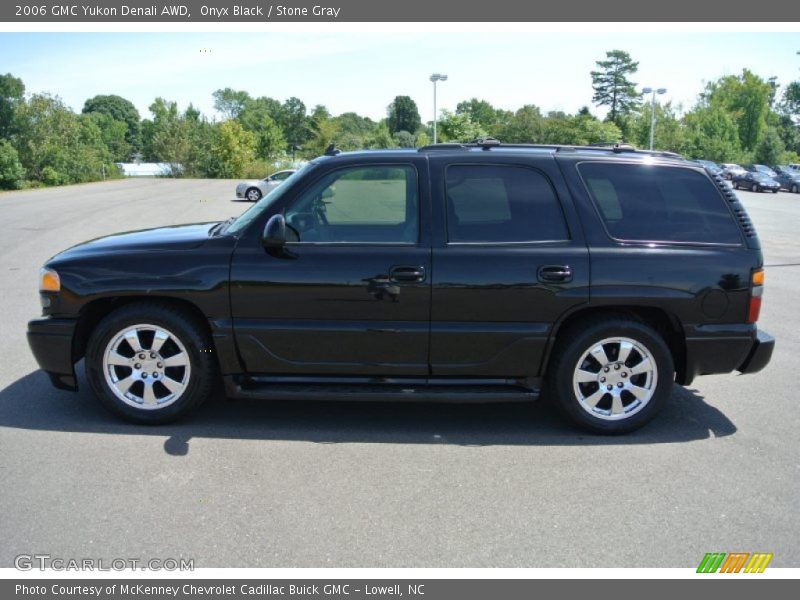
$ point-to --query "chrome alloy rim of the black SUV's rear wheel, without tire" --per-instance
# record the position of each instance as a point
(615, 378)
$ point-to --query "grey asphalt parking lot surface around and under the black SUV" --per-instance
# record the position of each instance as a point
(258, 484)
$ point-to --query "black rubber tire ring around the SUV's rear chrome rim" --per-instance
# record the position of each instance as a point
(560, 376)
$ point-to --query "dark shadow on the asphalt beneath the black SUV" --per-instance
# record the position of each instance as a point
(32, 403)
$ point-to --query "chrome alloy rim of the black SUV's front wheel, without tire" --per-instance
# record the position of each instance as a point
(146, 366)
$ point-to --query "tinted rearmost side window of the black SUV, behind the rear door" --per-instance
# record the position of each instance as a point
(659, 204)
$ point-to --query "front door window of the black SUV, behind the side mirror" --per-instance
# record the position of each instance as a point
(376, 204)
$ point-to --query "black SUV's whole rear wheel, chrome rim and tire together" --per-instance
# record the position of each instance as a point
(611, 375)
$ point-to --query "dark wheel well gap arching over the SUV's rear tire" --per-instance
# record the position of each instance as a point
(666, 324)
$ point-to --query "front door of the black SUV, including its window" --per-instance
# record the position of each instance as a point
(351, 293)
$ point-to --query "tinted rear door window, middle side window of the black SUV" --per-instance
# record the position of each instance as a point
(487, 203)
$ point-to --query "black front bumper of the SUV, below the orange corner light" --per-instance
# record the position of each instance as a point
(51, 343)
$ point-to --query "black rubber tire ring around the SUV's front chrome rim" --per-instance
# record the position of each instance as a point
(196, 347)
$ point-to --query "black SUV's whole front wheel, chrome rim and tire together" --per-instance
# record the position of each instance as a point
(150, 363)
